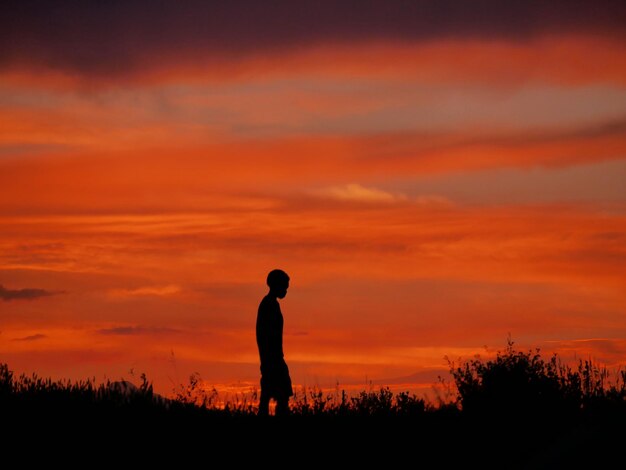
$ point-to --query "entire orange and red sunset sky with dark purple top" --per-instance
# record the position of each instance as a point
(433, 175)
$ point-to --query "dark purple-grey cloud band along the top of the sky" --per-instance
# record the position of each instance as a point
(124, 36)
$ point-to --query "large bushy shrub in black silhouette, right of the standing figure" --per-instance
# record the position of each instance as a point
(523, 384)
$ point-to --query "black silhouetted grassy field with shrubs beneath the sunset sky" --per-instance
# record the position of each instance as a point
(517, 410)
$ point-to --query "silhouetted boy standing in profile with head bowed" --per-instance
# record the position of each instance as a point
(275, 380)
